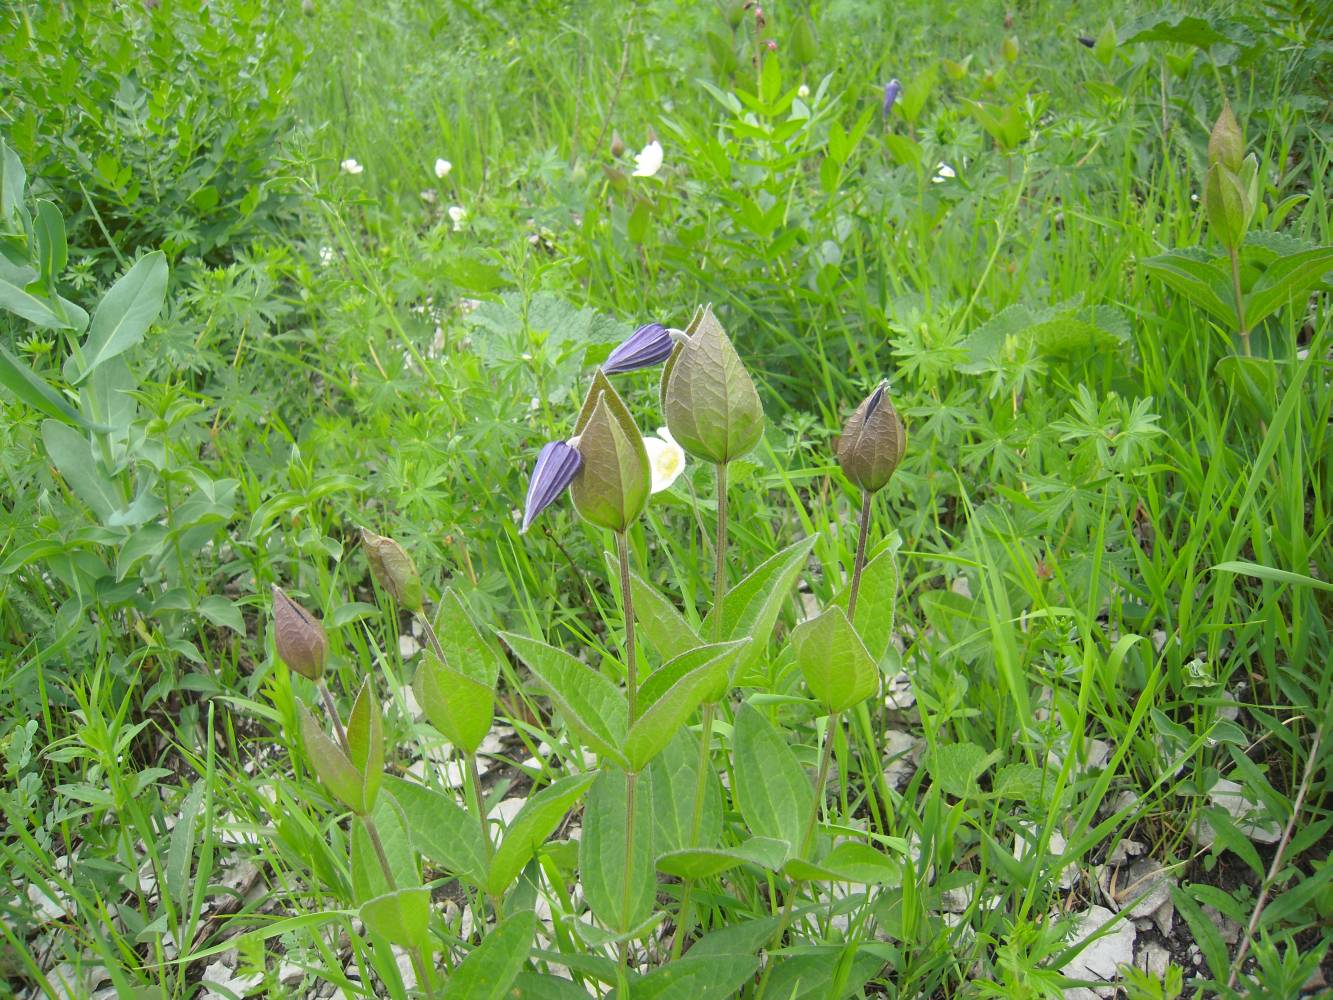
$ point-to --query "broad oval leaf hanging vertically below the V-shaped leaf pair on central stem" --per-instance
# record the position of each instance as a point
(618, 878)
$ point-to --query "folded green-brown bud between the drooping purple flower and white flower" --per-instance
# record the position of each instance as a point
(611, 489)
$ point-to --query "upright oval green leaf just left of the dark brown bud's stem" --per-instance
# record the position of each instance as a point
(772, 790)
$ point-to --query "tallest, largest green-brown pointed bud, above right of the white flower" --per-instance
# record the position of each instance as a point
(711, 405)
